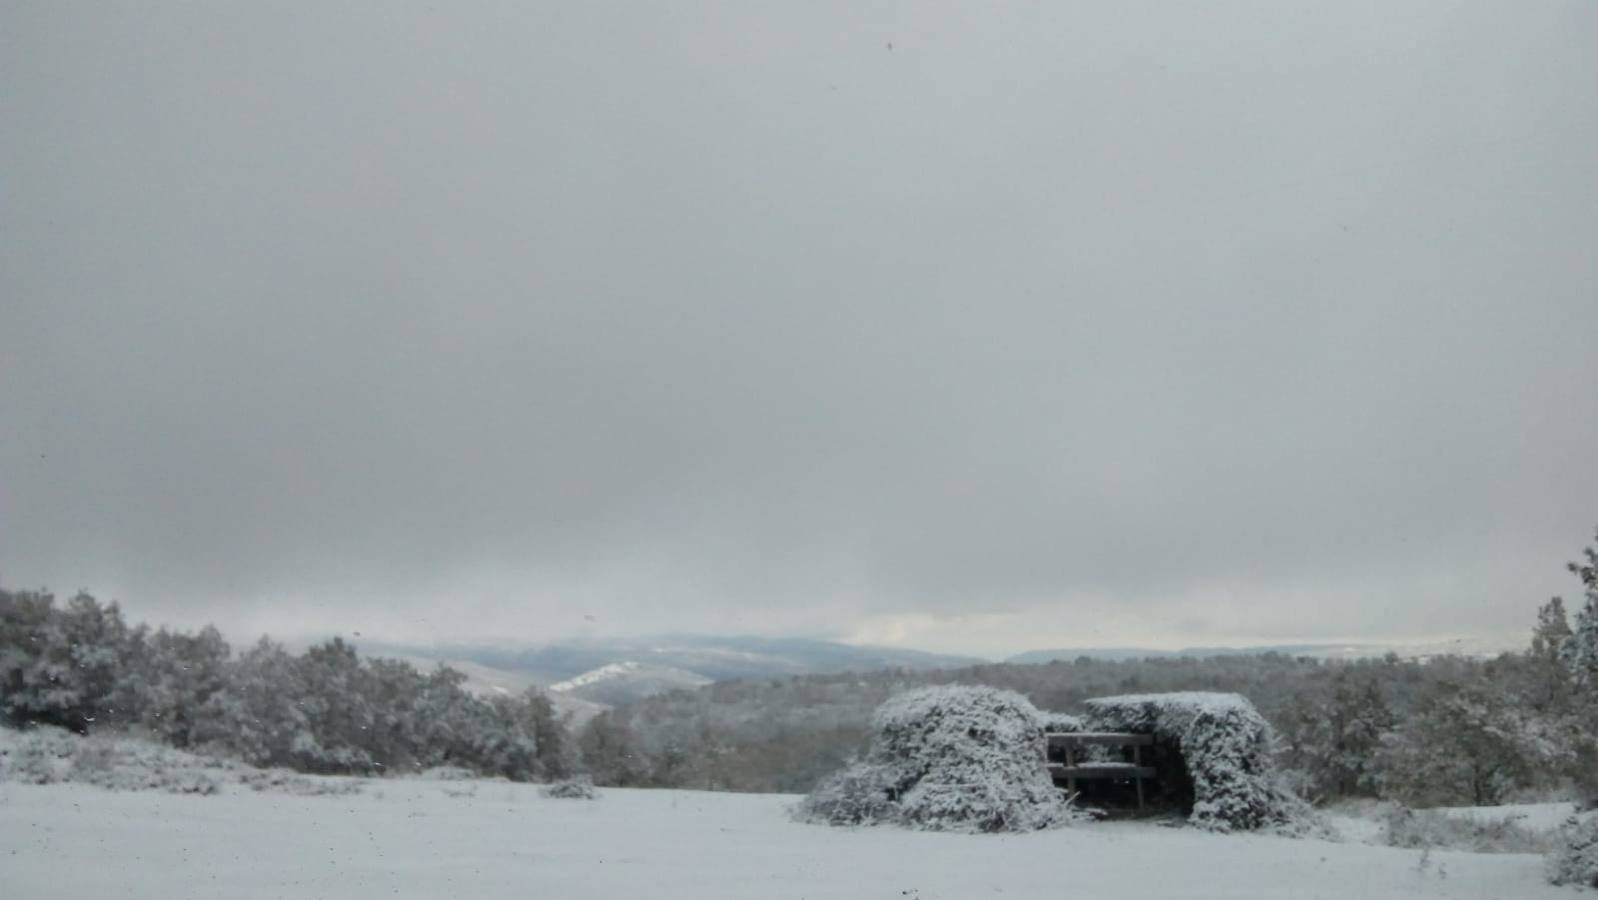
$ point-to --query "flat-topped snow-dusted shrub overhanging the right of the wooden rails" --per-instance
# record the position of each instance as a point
(1225, 746)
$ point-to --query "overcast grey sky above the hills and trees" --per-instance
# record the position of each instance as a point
(977, 327)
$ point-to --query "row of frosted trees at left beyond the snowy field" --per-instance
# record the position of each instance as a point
(327, 711)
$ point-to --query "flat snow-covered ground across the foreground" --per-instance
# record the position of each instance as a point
(488, 840)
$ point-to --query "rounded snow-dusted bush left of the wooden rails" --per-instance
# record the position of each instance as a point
(950, 759)
